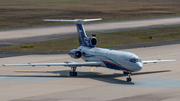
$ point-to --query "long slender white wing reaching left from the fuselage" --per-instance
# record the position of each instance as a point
(70, 64)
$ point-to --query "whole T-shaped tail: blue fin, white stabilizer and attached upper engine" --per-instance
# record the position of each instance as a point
(83, 39)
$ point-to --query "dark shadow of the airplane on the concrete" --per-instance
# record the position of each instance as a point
(109, 78)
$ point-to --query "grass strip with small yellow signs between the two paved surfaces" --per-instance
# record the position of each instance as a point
(105, 40)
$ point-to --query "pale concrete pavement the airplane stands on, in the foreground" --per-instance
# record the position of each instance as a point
(156, 82)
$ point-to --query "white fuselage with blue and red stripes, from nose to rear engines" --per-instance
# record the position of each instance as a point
(118, 60)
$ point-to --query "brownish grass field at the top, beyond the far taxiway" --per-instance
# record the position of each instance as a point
(26, 13)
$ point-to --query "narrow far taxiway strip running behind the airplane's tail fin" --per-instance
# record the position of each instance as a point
(36, 34)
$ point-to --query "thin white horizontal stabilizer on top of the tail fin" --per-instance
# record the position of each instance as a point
(80, 21)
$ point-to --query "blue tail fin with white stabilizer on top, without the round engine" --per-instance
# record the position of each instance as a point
(80, 29)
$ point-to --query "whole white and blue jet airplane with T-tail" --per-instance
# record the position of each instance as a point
(98, 57)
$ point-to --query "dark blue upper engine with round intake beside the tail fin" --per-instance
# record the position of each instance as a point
(91, 41)
